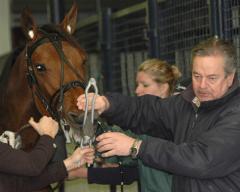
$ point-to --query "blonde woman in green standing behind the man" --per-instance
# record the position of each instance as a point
(157, 78)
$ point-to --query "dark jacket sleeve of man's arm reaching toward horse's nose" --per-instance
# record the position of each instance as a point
(139, 114)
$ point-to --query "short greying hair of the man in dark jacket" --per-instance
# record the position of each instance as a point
(215, 46)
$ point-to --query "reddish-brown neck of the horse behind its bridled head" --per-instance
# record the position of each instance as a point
(16, 104)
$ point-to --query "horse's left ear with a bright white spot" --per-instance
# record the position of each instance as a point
(28, 24)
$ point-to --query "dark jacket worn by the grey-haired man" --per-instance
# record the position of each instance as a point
(200, 146)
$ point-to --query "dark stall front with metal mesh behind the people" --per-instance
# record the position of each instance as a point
(117, 42)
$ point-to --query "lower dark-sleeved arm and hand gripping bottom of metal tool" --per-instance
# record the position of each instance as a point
(52, 173)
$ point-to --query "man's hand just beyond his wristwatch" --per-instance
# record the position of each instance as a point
(114, 143)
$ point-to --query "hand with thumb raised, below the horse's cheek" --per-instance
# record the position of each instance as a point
(45, 126)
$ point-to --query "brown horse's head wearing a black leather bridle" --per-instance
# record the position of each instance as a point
(55, 69)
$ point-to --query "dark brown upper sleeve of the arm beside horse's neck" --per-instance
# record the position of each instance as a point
(23, 163)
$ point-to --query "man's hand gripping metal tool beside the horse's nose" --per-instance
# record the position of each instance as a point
(101, 103)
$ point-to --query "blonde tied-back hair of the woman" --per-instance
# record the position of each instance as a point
(161, 72)
